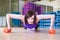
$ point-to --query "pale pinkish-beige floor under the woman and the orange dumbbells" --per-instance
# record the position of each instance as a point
(22, 34)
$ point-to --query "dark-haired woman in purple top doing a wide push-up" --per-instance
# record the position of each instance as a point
(30, 20)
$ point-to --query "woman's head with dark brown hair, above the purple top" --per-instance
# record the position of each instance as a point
(30, 17)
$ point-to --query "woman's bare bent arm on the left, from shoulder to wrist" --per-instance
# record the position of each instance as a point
(15, 16)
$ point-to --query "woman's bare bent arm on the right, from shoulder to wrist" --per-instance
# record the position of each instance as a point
(47, 16)
